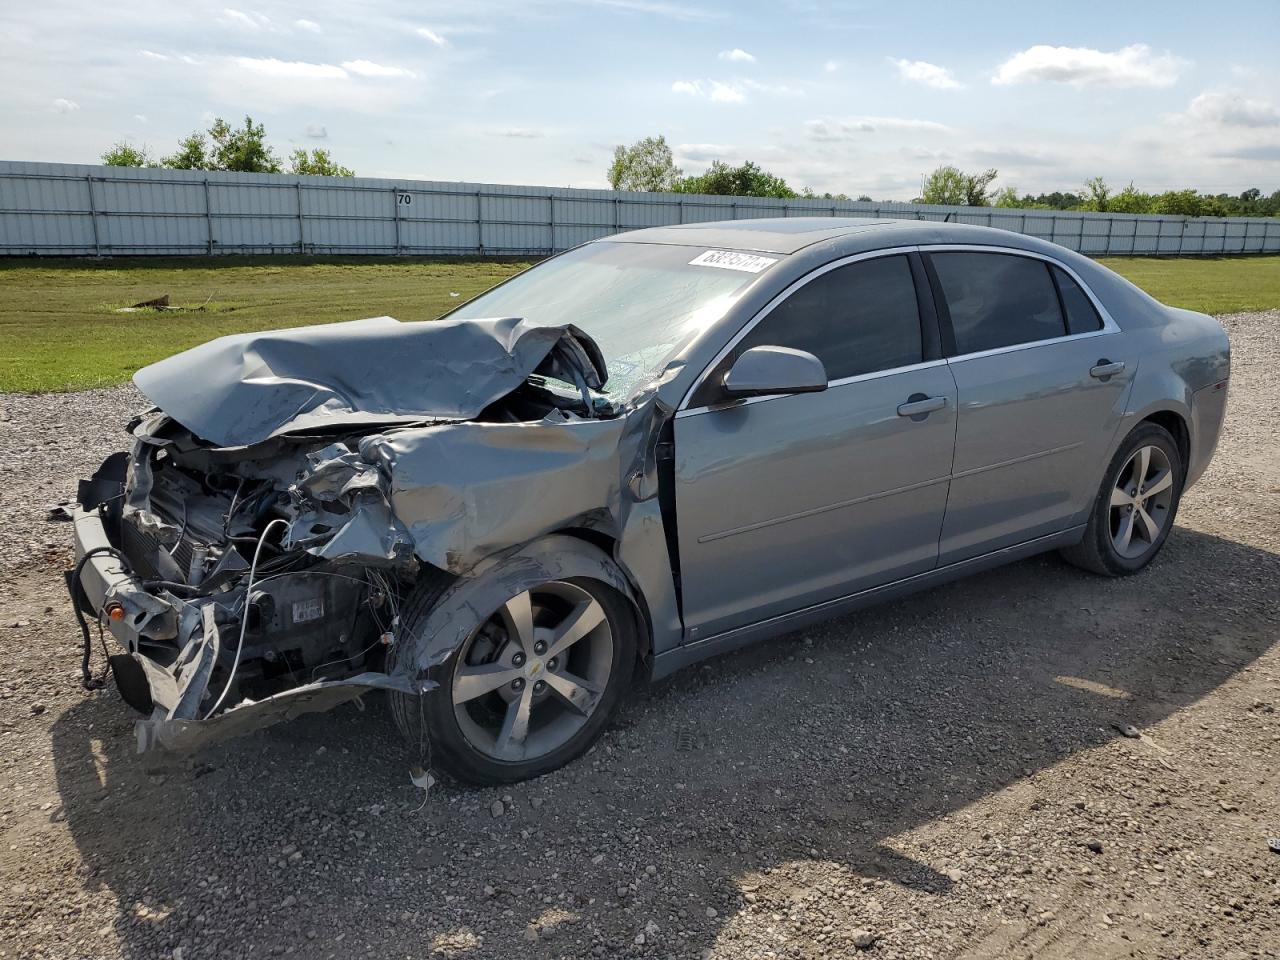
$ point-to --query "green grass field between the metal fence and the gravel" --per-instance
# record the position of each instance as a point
(61, 328)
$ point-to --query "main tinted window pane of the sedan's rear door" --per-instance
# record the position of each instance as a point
(998, 300)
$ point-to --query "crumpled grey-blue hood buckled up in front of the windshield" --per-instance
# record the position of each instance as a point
(246, 388)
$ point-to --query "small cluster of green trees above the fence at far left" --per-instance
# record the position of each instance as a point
(226, 148)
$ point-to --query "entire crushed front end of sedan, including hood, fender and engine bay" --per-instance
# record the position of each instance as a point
(253, 554)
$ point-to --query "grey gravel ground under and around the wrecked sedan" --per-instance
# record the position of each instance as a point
(1030, 762)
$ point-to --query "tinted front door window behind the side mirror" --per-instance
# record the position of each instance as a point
(857, 319)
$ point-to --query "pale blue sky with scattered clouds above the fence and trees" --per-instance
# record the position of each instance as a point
(858, 98)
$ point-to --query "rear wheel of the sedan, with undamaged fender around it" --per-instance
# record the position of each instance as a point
(1119, 538)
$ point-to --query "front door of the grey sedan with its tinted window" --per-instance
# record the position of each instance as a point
(785, 502)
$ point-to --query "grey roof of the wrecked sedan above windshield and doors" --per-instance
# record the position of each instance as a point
(794, 234)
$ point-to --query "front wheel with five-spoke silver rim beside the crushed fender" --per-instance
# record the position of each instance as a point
(561, 700)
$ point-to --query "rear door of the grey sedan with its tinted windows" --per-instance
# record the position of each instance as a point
(1043, 382)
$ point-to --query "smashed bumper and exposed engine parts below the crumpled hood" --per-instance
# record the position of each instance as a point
(248, 586)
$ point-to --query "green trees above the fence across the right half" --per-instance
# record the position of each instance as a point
(650, 166)
